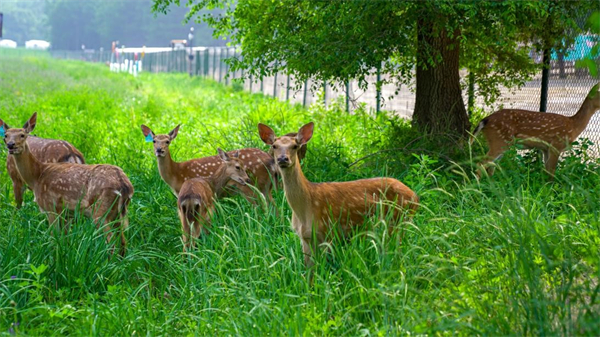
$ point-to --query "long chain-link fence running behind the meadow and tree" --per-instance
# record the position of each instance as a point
(568, 85)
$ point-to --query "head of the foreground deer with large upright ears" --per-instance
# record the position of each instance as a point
(285, 148)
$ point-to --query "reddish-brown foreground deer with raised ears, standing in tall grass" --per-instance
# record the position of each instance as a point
(319, 209)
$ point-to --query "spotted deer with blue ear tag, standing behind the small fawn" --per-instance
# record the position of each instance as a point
(259, 164)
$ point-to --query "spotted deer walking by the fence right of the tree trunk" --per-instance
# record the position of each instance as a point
(551, 133)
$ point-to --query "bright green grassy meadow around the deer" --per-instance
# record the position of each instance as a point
(512, 255)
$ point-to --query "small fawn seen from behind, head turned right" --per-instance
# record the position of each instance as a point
(197, 195)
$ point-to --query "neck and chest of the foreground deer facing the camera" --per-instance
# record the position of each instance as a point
(297, 189)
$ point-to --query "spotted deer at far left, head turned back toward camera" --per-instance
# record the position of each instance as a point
(102, 192)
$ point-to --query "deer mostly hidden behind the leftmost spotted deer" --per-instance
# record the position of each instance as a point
(45, 150)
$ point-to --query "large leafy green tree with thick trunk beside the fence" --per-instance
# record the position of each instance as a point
(426, 41)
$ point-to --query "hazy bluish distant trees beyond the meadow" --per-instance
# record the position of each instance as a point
(97, 23)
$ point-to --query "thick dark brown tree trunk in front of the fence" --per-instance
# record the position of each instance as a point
(439, 106)
